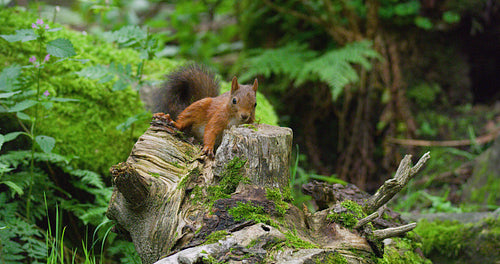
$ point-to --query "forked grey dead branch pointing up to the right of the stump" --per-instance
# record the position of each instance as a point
(392, 186)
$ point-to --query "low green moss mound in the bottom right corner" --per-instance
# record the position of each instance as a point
(462, 243)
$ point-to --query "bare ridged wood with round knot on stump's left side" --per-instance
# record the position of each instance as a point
(158, 160)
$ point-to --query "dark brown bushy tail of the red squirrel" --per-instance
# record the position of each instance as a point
(184, 86)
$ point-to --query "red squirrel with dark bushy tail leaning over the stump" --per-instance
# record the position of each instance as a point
(209, 114)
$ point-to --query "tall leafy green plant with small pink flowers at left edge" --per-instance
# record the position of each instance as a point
(25, 103)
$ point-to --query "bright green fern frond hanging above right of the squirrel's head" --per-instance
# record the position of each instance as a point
(335, 67)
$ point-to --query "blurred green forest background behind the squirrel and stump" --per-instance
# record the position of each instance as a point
(360, 83)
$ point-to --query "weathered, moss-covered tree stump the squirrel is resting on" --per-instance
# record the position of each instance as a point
(179, 207)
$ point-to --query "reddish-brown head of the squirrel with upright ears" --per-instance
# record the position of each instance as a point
(243, 100)
